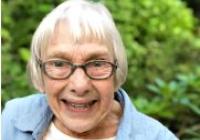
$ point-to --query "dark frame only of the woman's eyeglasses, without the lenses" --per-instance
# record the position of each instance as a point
(82, 66)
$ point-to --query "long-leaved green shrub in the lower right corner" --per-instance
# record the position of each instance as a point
(179, 96)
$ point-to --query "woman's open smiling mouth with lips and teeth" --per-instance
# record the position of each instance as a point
(78, 107)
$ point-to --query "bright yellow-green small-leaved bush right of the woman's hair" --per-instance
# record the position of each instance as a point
(158, 29)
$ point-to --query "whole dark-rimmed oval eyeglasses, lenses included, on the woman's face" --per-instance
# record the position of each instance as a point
(62, 69)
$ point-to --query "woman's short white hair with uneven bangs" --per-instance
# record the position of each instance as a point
(85, 20)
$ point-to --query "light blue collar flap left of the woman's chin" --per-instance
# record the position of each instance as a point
(36, 121)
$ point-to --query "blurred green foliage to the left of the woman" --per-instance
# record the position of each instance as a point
(19, 20)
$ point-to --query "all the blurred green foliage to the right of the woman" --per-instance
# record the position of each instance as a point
(163, 47)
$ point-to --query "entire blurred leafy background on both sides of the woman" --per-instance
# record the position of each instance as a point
(162, 39)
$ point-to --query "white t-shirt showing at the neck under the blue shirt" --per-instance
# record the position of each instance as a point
(54, 133)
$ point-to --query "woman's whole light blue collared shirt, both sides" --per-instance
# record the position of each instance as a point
(28, 118)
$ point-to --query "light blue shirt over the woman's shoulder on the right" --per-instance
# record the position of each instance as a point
(139, 125)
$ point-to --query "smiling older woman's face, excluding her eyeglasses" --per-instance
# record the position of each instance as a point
(79, 103)
